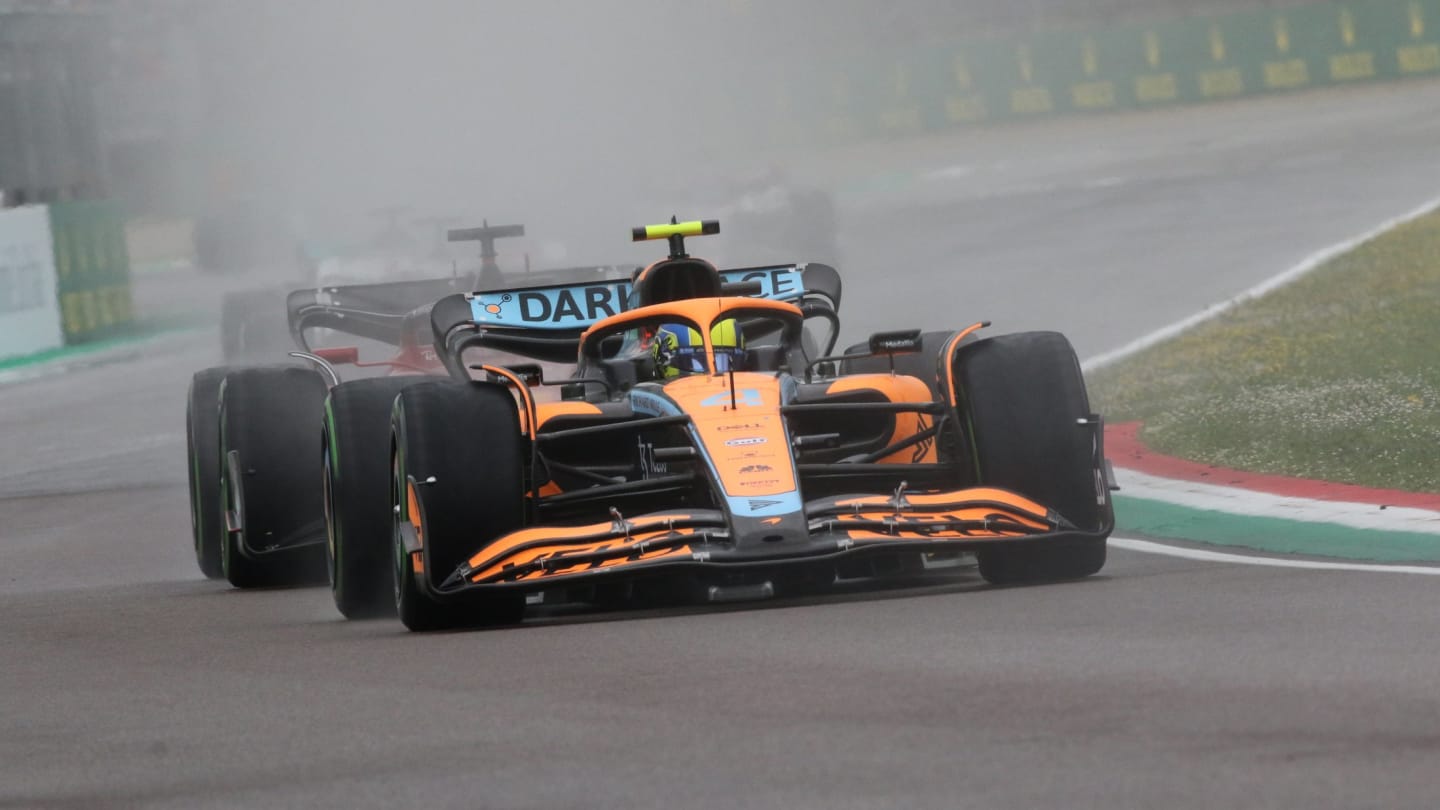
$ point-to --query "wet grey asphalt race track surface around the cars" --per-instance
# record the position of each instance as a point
(129, 681)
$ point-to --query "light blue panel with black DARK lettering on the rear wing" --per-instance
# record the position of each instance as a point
(580, 306)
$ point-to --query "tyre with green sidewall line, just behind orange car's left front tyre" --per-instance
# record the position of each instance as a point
(356, 448)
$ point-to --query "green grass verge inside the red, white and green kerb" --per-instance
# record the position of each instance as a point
(1334, 377)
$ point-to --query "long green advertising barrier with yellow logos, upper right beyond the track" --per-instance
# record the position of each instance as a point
(1122, 68)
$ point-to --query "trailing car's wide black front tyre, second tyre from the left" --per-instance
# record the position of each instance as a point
(271, 488)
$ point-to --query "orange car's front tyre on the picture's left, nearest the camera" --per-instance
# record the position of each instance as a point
(462, 443)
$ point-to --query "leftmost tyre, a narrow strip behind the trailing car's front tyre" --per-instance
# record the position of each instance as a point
(202, 432)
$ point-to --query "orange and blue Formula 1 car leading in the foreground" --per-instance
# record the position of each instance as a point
(712, 443)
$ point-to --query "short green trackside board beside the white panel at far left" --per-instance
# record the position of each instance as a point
(93, 270)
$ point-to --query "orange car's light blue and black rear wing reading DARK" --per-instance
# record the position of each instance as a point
(546, 322)
